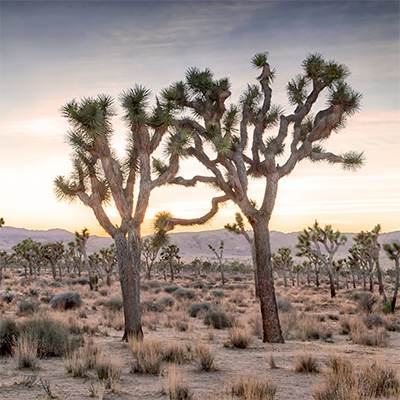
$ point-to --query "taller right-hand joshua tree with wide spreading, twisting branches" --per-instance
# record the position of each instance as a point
(224, 144)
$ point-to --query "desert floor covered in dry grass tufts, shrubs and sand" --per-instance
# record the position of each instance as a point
(196, 345)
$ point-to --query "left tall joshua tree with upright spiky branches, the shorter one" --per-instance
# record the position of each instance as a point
(99, 176)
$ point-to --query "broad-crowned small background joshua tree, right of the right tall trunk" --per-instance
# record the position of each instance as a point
(322, 243)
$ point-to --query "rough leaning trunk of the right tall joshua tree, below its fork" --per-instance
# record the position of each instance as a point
(269, 310)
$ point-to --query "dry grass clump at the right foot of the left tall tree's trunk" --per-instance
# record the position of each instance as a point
(148, 356)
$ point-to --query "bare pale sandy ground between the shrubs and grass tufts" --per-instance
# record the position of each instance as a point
(230, 363)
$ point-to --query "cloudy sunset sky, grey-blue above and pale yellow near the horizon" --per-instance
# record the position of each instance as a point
(54, 51)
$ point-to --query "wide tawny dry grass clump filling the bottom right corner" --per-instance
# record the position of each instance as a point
(343, 382)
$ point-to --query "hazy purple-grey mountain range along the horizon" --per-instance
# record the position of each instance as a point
(191, 244)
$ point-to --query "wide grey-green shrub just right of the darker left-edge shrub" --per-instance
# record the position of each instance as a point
(52, 336)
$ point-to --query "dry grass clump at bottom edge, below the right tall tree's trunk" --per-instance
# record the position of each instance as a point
(253, 388)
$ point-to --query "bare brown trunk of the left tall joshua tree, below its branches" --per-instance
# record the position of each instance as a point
(128, 257)
